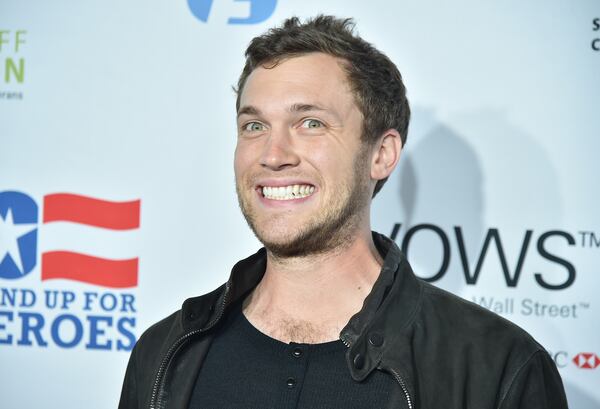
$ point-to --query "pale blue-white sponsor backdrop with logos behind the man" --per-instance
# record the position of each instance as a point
(117, 199)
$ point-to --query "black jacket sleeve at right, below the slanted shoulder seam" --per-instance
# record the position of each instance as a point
(536, 385)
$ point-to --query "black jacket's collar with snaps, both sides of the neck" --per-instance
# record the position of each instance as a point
(376, 336)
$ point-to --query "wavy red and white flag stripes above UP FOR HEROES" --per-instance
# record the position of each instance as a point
(87, 224)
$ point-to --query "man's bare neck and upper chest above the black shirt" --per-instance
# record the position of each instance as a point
(311, 298)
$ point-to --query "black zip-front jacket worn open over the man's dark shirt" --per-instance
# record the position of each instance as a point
(442, 351)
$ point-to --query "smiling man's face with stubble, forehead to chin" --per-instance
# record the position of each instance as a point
(302, 172)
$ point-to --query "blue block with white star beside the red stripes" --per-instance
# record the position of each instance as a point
(18, 234)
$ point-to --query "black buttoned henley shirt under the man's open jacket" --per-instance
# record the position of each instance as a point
(247, 369)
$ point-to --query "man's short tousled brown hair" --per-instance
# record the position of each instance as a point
(376, 82)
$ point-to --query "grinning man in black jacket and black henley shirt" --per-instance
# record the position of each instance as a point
(328, 314)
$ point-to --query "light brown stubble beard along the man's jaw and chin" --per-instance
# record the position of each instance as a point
(335, 228)
